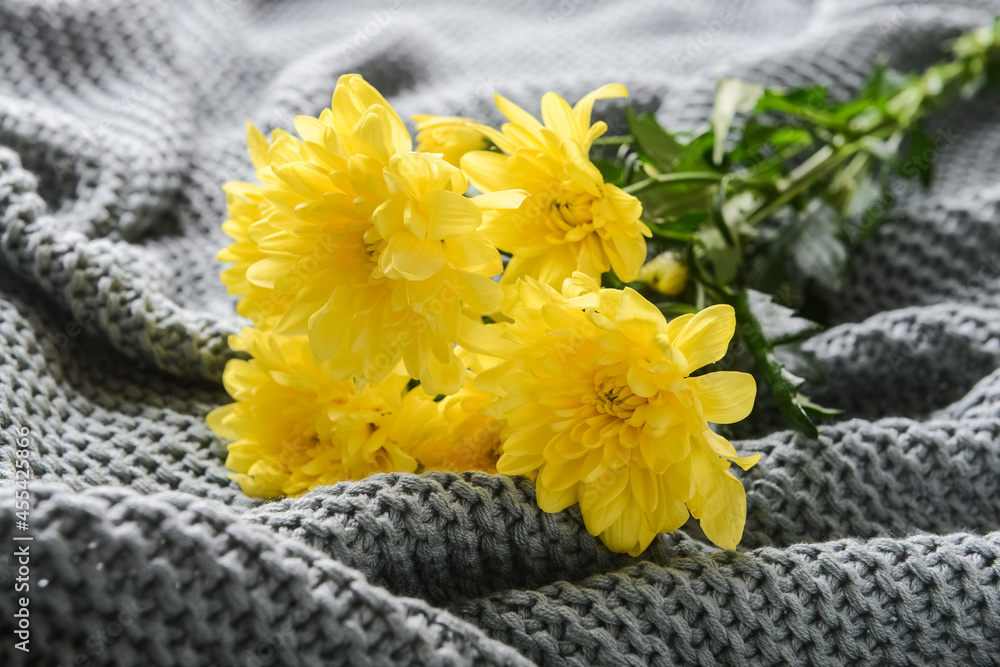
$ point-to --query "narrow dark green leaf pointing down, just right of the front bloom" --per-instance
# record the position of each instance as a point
(783, 385)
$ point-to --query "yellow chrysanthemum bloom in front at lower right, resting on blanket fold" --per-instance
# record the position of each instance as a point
(598, 398)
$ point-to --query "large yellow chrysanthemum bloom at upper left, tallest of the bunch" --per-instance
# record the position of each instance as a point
(374, 251)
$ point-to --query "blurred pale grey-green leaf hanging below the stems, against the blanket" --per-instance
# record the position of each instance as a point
(819, 250)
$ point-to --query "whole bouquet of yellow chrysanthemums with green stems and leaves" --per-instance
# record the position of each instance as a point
(563, 322)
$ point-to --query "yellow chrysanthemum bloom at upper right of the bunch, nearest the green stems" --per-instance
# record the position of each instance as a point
(572, 220)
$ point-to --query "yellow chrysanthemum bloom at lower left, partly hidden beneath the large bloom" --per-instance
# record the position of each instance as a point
(293, 428)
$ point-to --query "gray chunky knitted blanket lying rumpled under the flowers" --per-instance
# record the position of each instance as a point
(119, 121)
